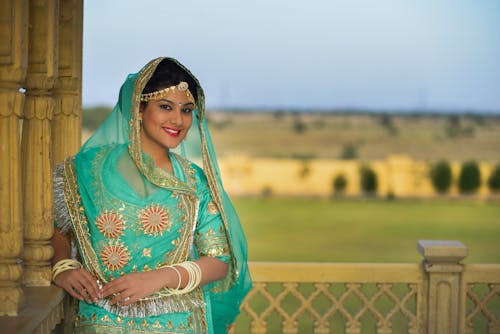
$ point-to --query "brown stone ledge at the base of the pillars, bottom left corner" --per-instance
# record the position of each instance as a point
(42, 311)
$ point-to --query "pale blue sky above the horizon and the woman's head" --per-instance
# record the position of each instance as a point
(375, 54)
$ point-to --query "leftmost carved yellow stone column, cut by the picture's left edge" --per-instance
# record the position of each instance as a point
(13, 58)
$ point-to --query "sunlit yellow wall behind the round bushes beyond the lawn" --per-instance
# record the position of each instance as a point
(397, 174)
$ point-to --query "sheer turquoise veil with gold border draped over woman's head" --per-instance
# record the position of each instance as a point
(122, 127)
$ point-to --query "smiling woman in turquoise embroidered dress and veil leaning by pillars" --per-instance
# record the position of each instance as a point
(160, 246)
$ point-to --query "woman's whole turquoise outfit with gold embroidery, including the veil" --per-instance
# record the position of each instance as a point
(128, 215)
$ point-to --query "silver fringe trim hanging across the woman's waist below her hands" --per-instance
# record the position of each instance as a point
(153, 307)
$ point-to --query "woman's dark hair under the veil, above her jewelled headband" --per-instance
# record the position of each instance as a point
(169, 73)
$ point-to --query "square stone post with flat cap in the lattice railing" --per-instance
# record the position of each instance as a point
(442, 266)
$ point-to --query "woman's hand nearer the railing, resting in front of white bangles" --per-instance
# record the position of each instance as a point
(130, 288)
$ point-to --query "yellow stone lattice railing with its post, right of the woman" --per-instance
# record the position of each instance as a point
(439, 296)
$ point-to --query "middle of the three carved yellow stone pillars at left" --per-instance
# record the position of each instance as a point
(36, 142)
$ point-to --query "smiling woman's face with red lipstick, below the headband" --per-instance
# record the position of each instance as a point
(165, 122)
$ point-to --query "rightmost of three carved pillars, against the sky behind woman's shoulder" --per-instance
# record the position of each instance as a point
(66, 125)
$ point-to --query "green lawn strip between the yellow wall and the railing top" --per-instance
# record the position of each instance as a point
(293, 229)
